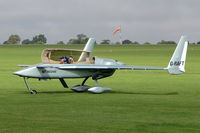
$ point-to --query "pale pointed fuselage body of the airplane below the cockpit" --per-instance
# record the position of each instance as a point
(53, 72)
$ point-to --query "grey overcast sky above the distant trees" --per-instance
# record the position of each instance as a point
(140, 20)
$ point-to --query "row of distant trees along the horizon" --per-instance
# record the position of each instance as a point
(80, 39)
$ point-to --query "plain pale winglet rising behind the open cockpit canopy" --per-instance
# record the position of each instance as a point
(89, 48)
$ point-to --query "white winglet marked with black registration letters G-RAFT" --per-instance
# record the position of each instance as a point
(177, 63)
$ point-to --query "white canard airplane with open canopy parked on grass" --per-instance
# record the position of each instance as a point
(84, 66)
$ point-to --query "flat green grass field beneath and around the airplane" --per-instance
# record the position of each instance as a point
(140, 101)
